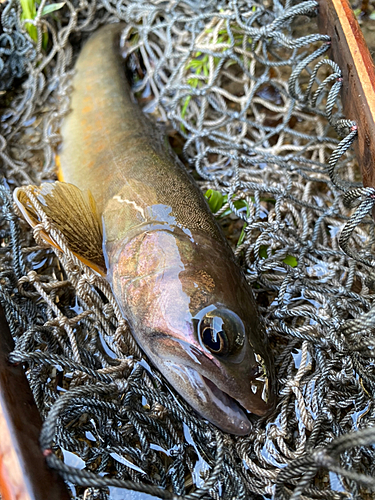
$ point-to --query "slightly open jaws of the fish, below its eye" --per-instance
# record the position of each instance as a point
(216, 392)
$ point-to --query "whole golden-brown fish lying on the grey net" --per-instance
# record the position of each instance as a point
(130, 210)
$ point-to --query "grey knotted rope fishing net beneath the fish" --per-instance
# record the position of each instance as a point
(251, 104)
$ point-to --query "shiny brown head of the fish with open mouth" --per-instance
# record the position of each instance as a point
(194, 315)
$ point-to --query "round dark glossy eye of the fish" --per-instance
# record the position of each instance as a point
(221, 331)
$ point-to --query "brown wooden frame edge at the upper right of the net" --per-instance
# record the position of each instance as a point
(349, 50)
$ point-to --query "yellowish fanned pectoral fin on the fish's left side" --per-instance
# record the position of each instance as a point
(73, 212)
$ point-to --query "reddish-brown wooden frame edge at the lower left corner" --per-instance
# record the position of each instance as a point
(24, 474)
